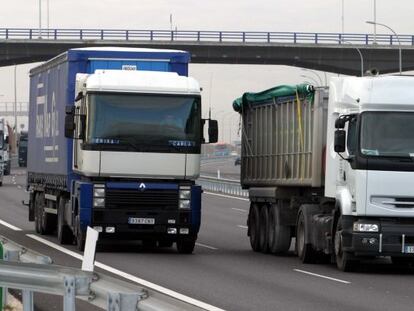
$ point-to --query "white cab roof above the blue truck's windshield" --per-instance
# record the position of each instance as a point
(141, 82)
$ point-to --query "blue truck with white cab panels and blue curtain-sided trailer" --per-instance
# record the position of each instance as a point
(114, 143)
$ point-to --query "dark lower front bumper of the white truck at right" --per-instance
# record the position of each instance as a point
(395, 237)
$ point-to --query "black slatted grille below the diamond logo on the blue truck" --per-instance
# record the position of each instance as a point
(141, 200)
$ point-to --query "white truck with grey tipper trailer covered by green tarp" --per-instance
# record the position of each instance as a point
(333, 168)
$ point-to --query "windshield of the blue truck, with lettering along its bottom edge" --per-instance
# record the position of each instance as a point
(144, 123)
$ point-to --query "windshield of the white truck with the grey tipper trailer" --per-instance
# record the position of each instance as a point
(387, 134)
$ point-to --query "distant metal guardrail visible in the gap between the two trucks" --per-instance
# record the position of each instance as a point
(226, 186)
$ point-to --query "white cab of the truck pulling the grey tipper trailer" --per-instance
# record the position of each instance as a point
(370, 164)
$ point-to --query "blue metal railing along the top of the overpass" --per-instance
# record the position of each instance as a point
(203, 36)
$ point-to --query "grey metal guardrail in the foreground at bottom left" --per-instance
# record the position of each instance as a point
(32, 272)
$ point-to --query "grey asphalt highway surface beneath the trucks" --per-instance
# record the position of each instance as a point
(223, 271)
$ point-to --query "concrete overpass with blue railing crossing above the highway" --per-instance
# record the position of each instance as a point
(333, 52)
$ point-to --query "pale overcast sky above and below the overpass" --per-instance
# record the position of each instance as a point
(221, 83)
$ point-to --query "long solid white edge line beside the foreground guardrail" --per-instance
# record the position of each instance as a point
(130, 277)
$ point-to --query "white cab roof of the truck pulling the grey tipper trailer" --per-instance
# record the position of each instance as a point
(372, 93)
